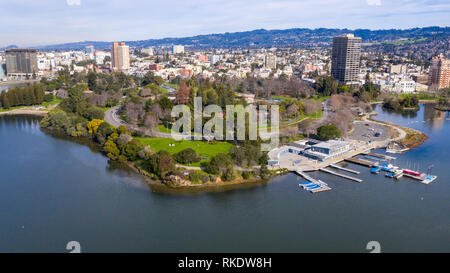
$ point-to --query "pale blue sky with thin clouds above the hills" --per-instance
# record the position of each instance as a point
(41, 22)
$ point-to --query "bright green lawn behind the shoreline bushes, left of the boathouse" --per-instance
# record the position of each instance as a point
(202, 148)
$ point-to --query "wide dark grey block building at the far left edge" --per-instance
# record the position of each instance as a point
(21, 61)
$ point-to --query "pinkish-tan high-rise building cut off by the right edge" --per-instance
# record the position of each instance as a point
(439, 73)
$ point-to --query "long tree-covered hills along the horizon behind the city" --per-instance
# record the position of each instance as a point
(295, 37)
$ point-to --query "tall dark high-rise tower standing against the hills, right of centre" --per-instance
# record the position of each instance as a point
(345, 58)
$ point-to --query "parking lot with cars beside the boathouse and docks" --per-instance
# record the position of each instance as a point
(367, 131)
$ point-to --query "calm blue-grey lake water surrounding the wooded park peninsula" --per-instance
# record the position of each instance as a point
(53, 191)
